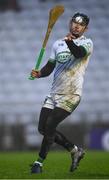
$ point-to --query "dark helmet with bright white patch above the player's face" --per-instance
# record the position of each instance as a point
(84, 19)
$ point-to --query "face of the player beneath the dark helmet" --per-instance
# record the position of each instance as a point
(77, 29)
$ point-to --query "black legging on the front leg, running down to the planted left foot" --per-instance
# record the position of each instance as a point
(56, 116)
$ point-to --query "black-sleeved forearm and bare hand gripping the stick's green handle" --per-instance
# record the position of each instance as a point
(45, 71)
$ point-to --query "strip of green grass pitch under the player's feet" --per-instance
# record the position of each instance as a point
(15, 165)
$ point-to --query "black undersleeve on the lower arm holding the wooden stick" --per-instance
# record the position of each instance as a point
(47, 69)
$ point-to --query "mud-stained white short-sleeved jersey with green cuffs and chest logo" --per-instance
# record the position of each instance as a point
(69, 71)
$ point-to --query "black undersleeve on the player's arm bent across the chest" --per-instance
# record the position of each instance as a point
(77, 51)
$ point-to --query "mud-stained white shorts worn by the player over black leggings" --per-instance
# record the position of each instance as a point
(66, 102)
